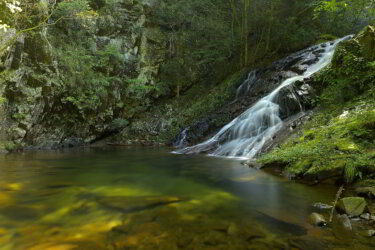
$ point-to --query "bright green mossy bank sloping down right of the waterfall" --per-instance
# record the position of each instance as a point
(338, 143)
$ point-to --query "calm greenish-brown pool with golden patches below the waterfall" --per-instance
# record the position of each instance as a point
(144, 198)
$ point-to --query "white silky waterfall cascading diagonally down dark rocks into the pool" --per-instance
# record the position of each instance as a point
(245, 136)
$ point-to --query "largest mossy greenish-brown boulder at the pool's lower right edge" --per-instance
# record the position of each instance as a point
(352, 206)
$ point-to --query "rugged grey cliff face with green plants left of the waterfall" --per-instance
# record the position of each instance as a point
(80, 80)
